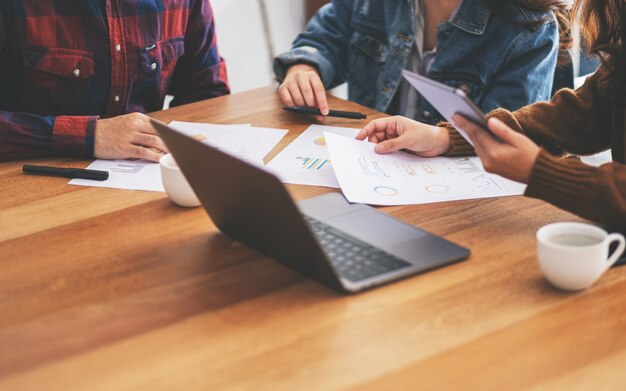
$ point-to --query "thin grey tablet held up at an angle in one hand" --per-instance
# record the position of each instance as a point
(448, 101)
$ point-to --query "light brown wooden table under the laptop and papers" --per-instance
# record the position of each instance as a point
(115, 290)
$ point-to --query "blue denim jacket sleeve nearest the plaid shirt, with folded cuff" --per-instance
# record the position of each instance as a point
(323, 44)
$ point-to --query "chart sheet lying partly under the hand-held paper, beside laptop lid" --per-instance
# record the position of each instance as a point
(306, 160)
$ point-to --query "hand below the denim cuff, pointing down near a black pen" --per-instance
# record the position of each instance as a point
(303, 87)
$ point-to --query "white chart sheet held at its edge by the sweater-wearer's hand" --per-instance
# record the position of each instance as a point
(403, 179)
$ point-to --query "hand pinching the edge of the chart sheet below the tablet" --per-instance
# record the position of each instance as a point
(395, 133)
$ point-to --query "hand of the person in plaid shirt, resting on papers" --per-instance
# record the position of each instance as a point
(128, 136)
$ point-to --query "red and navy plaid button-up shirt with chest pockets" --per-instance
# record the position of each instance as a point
(65, 63)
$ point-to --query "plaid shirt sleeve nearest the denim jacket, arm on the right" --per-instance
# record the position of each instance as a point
(201, 72)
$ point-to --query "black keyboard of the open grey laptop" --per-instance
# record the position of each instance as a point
(353, 259)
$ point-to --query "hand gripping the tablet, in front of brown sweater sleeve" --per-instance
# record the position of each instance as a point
(513, 157)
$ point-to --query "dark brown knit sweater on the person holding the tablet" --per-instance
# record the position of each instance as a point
(581, 122)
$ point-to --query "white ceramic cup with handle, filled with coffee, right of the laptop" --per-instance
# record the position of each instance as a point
(573, 256)
